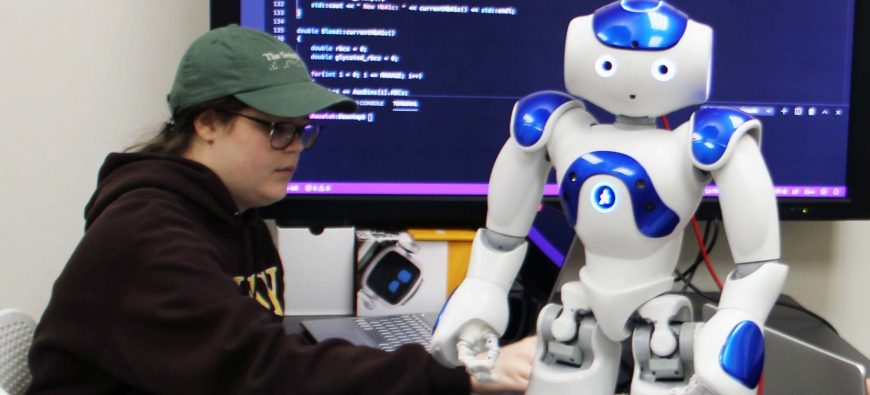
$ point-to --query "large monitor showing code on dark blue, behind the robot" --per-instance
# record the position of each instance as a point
(436, 82)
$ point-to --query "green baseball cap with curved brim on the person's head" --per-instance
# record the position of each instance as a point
(256, 68)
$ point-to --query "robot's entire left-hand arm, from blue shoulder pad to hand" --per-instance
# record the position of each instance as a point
(478, 309)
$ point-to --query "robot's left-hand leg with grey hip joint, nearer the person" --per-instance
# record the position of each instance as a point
(573, 355)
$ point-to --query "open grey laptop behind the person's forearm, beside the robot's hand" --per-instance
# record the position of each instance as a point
(385, 332)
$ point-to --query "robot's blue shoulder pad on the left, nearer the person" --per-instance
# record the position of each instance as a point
(532, 113)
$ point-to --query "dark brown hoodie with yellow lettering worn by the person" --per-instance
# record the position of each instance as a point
(171, 291)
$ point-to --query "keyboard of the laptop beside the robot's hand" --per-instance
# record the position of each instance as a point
(390, 332)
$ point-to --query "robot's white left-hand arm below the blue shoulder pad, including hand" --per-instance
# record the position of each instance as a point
(478, 308)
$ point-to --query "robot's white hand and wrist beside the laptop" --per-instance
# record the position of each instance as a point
(470, 324)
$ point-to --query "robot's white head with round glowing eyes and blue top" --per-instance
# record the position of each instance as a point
(638, 58)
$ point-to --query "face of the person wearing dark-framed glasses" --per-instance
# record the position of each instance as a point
(242, 156)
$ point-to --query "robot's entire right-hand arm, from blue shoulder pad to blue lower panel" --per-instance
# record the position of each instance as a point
(729, 354)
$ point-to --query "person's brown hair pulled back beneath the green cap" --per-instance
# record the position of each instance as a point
(175, 136)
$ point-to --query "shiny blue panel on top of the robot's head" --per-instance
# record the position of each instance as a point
(639, 24)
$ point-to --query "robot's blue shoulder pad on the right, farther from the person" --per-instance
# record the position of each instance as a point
(713, 131)
